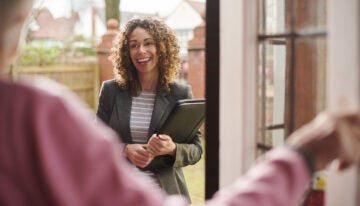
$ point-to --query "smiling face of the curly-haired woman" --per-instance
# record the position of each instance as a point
(142, 47)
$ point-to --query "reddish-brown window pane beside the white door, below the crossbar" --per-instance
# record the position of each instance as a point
(310, 69)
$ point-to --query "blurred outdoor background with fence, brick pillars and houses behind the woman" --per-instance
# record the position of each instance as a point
(70, 40)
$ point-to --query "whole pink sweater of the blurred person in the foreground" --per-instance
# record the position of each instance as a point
(51, 153)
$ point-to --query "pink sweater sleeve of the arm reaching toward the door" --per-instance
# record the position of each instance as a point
(280, 179)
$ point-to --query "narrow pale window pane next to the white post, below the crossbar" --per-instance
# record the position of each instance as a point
(271, 87)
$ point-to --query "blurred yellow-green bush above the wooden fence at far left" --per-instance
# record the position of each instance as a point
(39, 53)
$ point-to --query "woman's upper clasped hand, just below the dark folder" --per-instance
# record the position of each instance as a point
(161, 145)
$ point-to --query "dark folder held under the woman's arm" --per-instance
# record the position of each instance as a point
(181, 125)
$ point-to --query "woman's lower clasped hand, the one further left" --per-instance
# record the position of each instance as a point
(138, 154)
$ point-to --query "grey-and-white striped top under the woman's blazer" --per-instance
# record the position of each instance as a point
(141, 112)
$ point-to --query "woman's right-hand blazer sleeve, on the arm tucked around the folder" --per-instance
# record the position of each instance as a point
(188, 153)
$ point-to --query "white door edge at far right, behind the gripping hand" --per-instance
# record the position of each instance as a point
(343, 86)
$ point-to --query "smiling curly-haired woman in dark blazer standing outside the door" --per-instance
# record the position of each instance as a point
(137, 102)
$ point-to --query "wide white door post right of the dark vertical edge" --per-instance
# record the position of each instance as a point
(237, 87)
